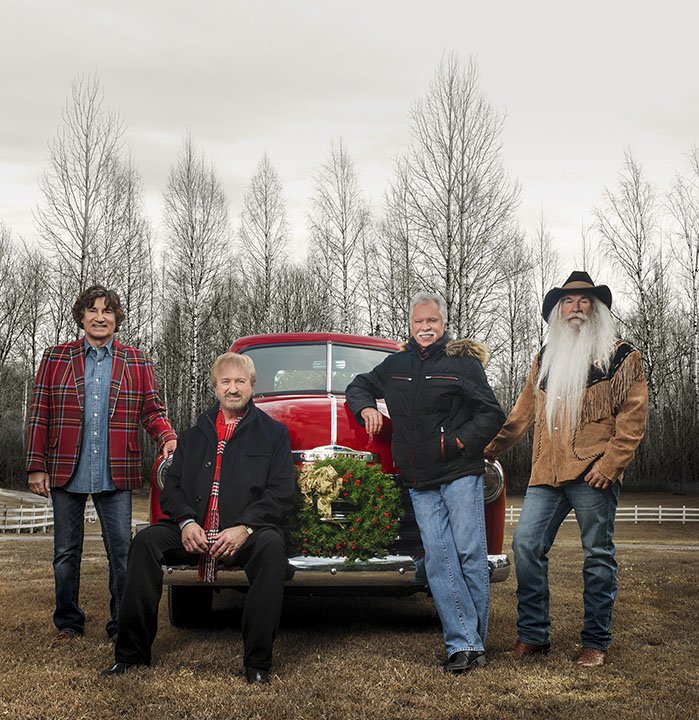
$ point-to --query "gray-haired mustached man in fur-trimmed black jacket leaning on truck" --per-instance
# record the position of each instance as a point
(443, 413)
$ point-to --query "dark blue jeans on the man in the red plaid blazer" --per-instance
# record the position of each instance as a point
(114, 512)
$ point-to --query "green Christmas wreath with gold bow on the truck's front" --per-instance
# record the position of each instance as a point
(370, 503)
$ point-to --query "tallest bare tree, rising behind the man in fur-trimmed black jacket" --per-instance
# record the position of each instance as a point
(460, 198)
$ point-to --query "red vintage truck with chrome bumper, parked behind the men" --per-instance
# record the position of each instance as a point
(301, 380)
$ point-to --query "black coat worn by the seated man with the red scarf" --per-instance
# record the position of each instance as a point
(257, 483)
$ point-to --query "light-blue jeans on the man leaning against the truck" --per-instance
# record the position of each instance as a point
(451, 518)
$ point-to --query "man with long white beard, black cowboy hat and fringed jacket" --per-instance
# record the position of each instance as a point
(587, 397)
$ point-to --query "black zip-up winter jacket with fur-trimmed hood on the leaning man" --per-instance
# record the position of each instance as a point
(433, 400)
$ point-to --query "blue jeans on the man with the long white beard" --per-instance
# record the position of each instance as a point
(544, 509)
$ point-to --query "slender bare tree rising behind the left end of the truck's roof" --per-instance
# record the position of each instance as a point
(263, 234)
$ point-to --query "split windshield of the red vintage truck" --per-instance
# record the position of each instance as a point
(304, 368)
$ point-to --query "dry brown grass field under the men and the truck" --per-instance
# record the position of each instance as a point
(366, 658)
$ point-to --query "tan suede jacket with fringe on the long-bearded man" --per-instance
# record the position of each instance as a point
(611, 426)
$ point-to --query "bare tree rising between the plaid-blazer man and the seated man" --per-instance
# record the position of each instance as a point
(196, 218)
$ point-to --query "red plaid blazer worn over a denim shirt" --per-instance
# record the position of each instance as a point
(54, 428)
